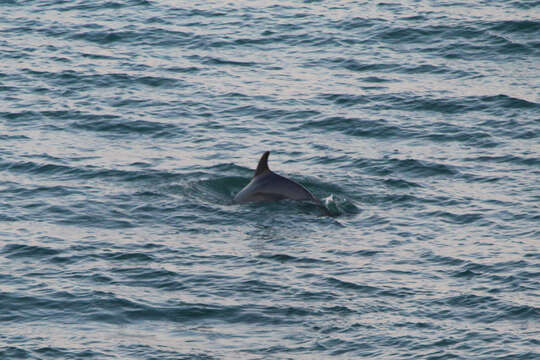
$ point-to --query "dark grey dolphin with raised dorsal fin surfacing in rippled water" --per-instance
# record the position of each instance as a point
(269, 186)
